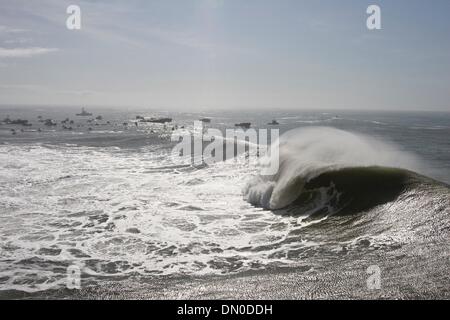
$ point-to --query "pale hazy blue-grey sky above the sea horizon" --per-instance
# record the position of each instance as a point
(227, 54)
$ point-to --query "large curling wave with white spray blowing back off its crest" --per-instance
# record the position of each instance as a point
(325, 168)
